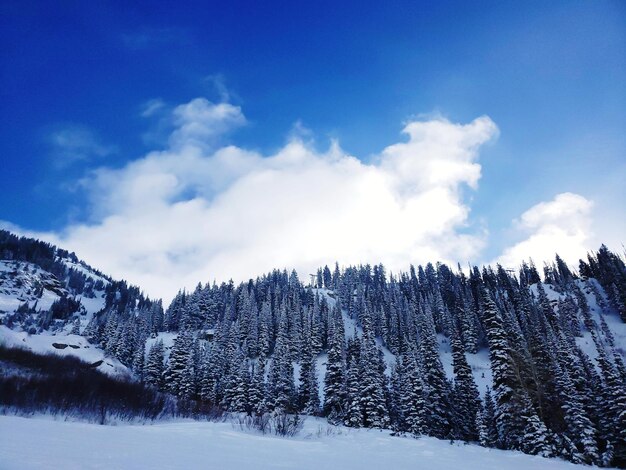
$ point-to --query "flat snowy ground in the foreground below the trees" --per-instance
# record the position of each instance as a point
(35, 443)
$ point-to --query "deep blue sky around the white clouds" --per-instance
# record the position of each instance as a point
(88, 86)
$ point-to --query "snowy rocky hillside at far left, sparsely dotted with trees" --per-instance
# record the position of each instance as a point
(48, 298)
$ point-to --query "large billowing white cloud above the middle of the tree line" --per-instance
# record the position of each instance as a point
(194, 213)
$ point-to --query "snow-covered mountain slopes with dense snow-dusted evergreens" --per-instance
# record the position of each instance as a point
(508, 360)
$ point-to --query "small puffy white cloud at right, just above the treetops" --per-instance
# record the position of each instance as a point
(562, 225)
